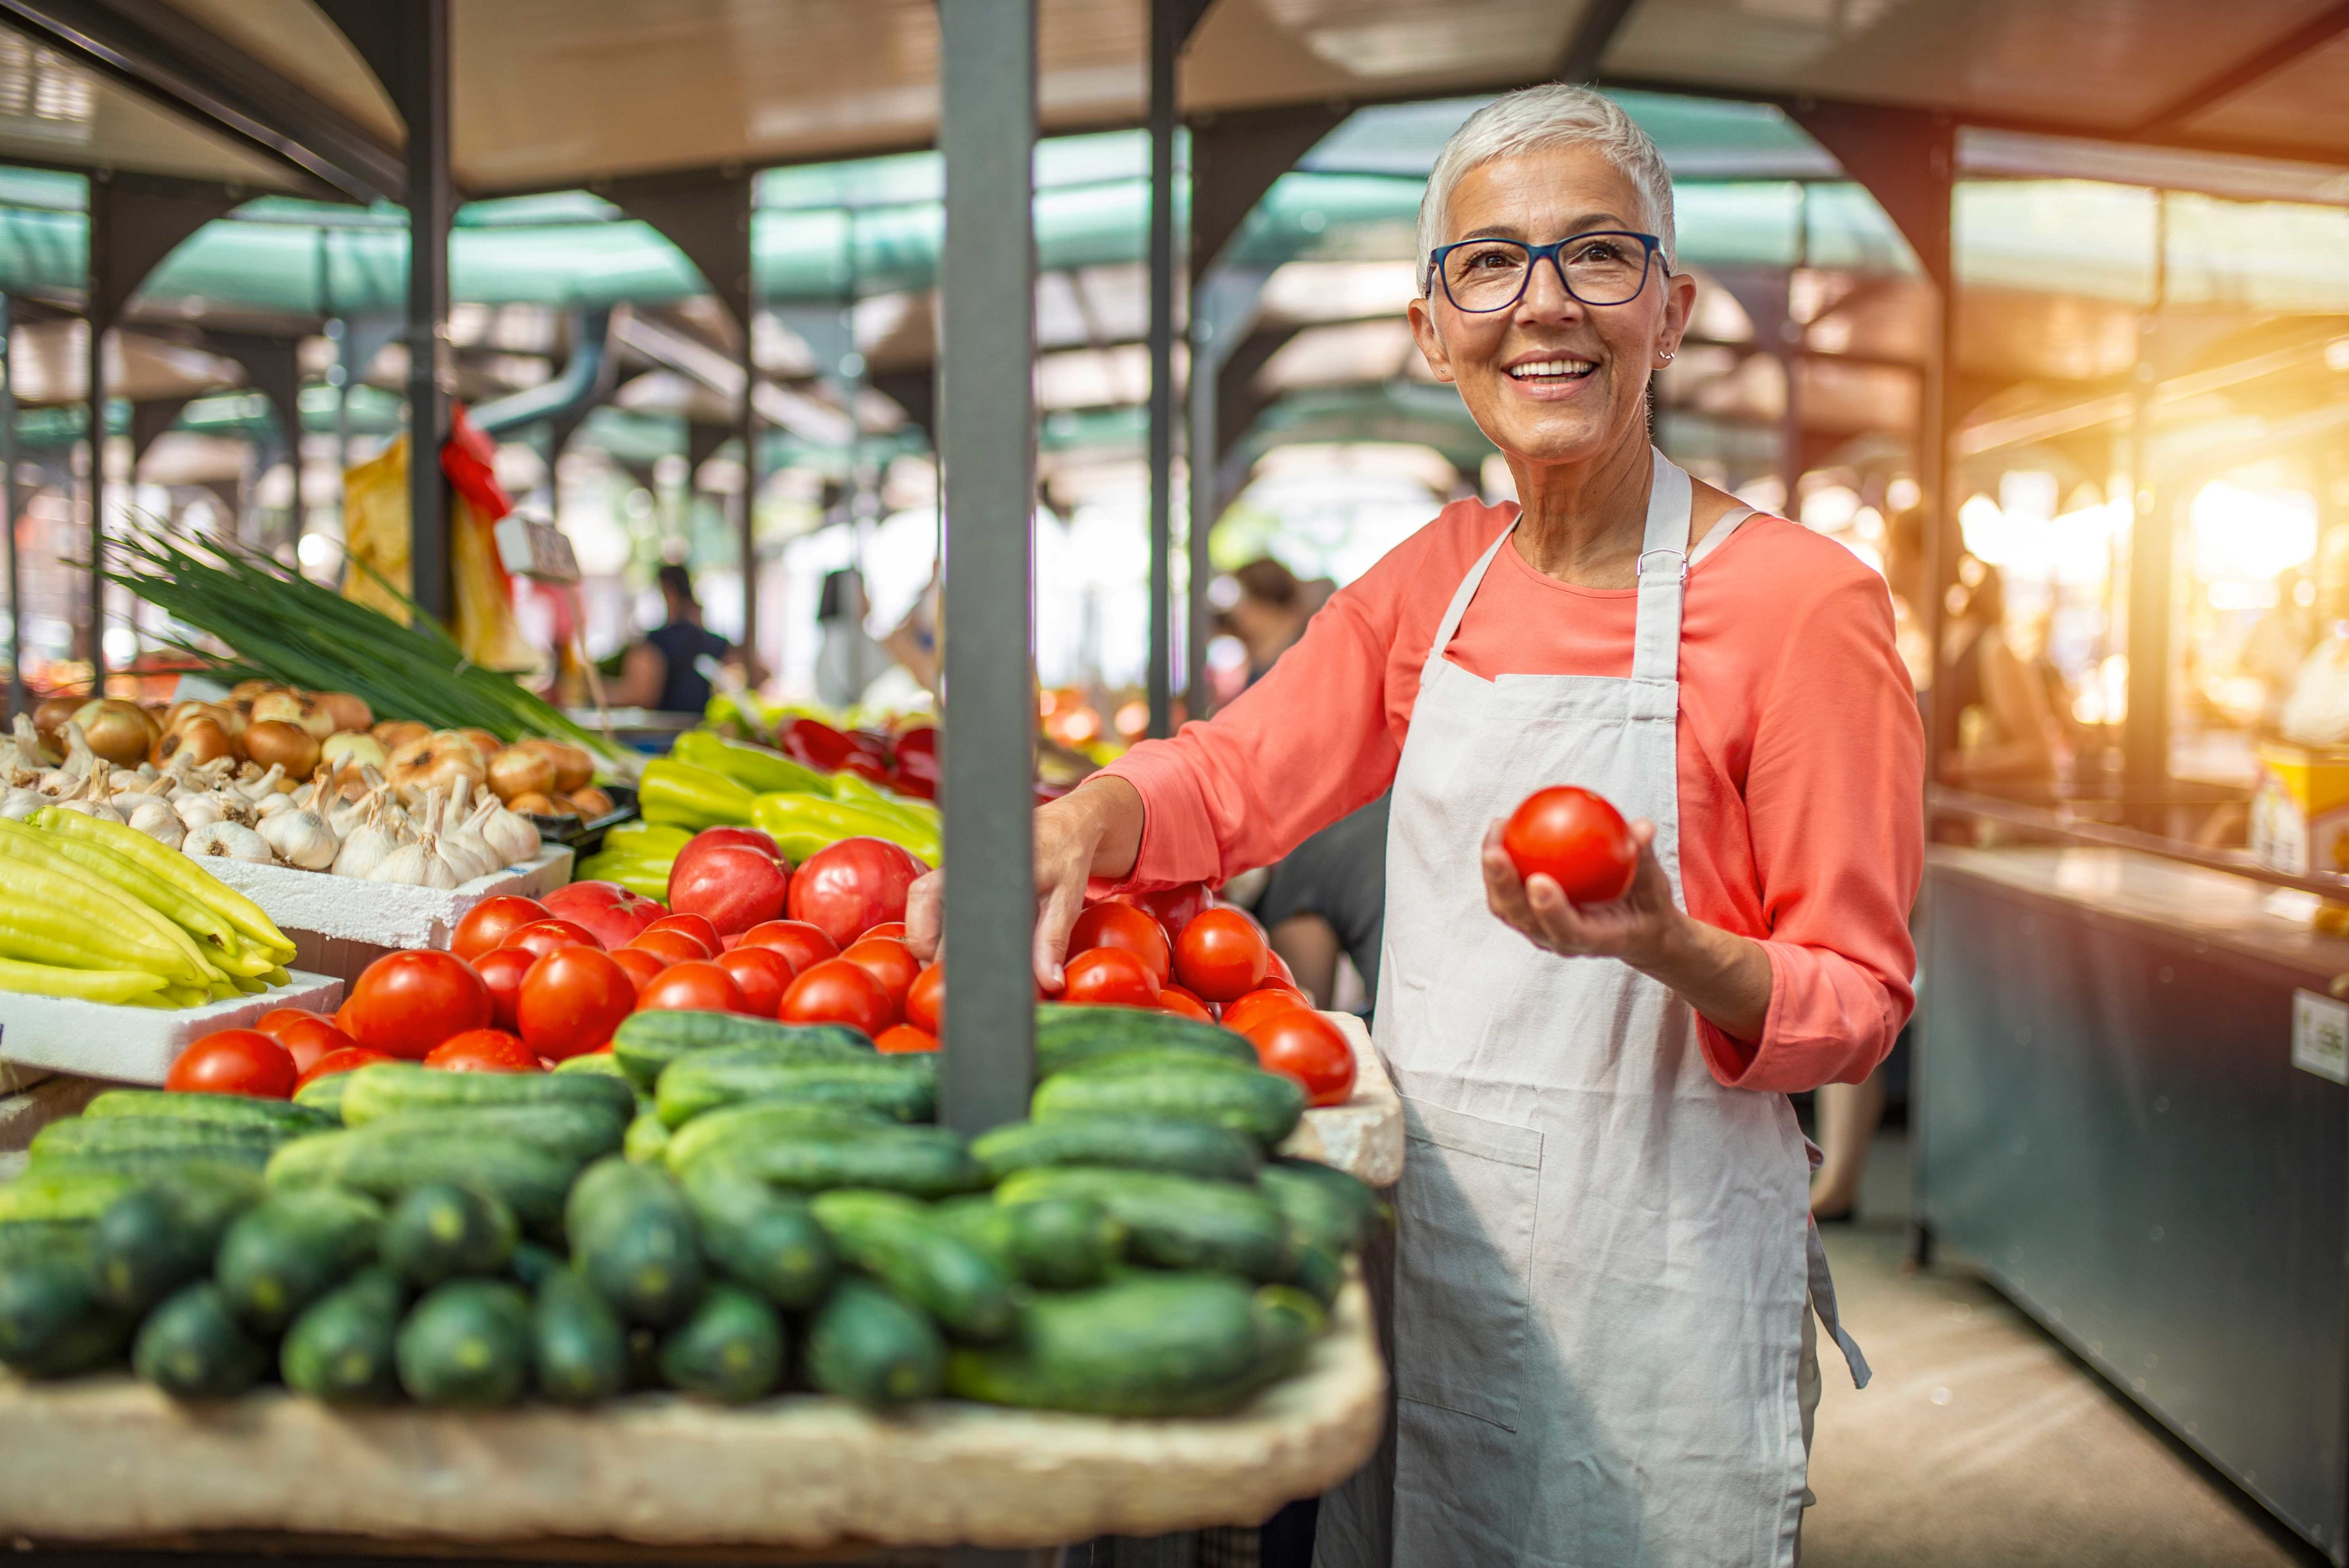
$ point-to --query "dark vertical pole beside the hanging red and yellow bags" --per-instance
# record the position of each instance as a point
(431, 201)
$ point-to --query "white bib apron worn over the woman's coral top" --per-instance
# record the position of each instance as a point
(1601, 1252)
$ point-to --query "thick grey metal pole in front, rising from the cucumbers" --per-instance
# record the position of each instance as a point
(988, 438)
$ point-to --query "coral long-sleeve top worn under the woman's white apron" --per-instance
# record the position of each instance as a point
(1801, 757)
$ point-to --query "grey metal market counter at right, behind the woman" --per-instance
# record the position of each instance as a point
(2132, 1114)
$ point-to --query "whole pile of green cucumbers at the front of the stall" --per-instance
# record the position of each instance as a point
(722, 1205)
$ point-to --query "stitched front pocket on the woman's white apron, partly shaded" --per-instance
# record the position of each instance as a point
(1465, 1250)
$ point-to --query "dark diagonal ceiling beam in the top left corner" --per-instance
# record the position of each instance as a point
(196, 74)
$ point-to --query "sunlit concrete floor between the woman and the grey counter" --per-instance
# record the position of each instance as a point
(1981, 1442)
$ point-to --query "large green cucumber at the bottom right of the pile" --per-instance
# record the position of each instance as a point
(1145, 1346)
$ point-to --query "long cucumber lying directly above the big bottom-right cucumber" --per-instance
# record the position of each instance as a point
(1173, 1222)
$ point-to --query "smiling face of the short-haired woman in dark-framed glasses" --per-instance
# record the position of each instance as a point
(1552, 379)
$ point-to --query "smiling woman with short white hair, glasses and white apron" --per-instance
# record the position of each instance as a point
(1603, 1349)
